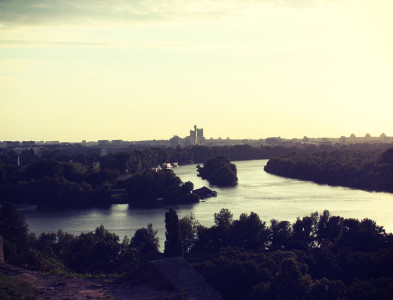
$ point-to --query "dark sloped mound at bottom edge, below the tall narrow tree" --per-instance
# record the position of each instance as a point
(175, 276)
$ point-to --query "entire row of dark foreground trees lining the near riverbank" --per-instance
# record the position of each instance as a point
(316, 257)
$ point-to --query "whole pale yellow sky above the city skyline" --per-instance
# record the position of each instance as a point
(151, 69)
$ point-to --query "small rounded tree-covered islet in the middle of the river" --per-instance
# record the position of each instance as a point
(219, 171)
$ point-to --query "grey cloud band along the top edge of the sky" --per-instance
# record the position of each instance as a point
(93, 12)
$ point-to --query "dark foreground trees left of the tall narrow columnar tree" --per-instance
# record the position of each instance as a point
(94, 252)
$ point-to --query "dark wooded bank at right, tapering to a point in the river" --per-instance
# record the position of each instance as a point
(365, 168)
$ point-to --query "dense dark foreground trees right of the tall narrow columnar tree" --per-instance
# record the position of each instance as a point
(317, 257)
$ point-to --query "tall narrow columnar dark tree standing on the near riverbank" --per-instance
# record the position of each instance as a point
(173, 241)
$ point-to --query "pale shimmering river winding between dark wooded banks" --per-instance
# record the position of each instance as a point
(267, 195)
